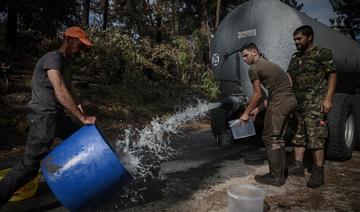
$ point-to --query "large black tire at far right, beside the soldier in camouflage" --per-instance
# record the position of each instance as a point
(343, 108)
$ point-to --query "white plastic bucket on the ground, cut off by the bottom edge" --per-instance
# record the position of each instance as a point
(245, 198)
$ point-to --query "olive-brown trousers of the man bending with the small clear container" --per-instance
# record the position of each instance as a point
(276, 119)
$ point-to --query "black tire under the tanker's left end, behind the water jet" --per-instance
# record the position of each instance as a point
(220, 127)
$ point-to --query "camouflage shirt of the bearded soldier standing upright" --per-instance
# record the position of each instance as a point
(309, 72)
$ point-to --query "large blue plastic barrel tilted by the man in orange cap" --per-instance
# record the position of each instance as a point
(83, 169)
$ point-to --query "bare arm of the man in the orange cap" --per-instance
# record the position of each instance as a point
(62, 93)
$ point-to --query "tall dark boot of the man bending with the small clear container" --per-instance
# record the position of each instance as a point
(276, 159)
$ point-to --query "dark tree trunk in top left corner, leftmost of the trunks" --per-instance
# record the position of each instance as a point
(11, 27)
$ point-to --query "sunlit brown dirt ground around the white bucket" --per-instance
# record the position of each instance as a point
(341, 191)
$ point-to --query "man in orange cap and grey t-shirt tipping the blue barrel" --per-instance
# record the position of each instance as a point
(50, 97)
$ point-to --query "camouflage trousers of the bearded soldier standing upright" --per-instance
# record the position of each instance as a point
(307, 132)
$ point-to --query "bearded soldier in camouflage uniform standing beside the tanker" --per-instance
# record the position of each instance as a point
(312, 71)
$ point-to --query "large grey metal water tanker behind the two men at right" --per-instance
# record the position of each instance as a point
(270, 25)
